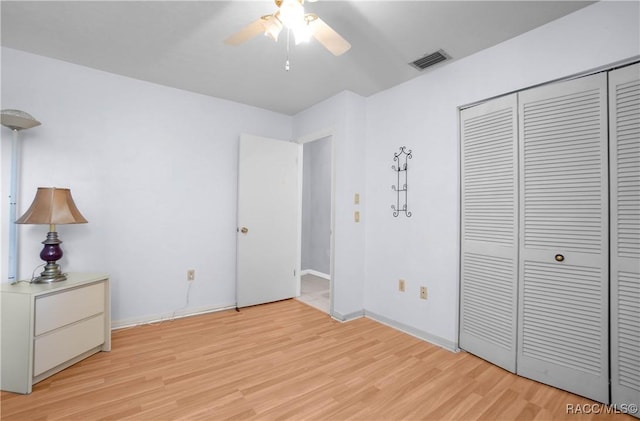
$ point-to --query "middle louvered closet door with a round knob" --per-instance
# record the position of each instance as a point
(564, 293)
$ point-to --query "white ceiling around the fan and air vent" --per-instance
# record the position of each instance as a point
(180, 43)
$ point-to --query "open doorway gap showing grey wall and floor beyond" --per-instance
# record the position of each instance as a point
(316, 232)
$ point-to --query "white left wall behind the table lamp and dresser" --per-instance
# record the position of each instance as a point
(152, 168)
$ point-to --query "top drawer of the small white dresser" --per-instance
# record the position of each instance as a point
(57, 310)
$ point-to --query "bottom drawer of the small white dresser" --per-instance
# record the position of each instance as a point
(57, 347)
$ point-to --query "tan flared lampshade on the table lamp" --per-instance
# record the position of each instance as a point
(52, 206)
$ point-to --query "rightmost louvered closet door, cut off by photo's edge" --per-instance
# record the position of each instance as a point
(624, 155)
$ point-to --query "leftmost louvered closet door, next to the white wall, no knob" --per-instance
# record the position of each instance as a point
(489, 231)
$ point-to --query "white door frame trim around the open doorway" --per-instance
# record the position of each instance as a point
(311, 137)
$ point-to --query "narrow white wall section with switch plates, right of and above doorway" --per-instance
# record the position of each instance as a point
(343, 117)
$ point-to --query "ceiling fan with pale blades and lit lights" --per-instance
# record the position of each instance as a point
(291, 15)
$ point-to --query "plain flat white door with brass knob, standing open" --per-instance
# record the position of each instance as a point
(269, 188)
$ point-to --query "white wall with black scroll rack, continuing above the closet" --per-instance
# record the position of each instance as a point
(423, 115)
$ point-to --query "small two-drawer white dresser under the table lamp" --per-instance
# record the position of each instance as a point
(48, 327)
